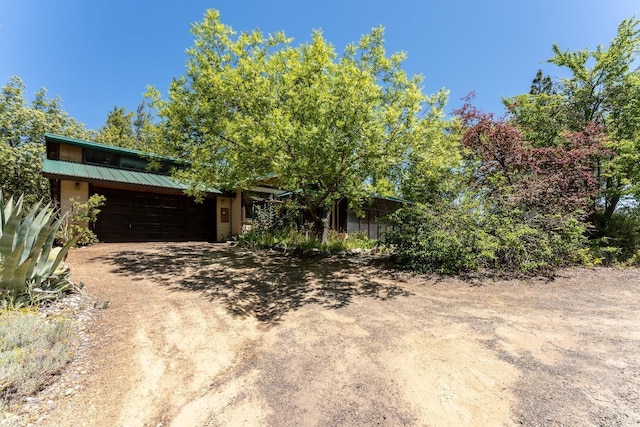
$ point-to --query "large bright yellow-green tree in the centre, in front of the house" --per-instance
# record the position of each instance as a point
(327, 125)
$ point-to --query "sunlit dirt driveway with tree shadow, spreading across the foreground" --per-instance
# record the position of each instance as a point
(207, 335)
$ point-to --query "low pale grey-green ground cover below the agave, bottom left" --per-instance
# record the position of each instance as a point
(32, 349)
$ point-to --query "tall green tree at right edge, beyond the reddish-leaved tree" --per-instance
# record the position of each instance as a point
(602, 89)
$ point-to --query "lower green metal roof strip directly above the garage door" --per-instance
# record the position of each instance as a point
(84, 172)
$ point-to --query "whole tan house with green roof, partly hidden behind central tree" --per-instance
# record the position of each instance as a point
(146, 204)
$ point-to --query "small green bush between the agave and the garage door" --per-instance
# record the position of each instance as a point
(77, 218)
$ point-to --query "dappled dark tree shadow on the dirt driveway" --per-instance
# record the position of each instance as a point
(261, 284)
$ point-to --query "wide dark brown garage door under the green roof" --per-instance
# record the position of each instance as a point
(128, 216)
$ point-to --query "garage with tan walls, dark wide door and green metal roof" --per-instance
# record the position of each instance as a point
(141, 205)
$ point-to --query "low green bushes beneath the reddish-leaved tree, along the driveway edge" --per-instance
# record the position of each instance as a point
(465, 236)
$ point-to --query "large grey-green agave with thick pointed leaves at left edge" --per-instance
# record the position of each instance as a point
(31, 268)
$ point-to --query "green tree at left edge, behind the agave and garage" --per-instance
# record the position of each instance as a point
(22, 129)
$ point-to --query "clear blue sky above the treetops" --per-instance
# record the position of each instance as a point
(99, 54)
